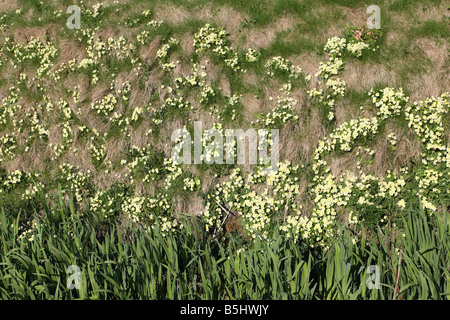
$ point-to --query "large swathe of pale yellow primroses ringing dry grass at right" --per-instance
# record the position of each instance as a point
(426, 118)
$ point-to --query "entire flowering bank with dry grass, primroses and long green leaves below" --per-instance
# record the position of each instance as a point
(87, 123)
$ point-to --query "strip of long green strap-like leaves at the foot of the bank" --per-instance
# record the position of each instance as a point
(188, 264)
